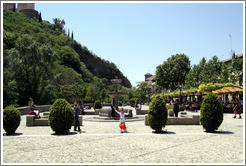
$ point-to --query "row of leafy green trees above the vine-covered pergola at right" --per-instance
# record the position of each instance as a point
(177, 75)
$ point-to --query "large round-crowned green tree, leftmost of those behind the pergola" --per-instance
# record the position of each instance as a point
(171, 74)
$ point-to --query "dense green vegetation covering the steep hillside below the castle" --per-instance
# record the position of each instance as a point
(42, 62)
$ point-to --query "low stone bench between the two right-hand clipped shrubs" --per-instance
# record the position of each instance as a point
(194, 120)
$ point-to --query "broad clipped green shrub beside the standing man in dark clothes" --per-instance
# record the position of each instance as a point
(61, 116)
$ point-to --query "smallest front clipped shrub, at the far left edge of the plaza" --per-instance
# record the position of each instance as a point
(11, 119)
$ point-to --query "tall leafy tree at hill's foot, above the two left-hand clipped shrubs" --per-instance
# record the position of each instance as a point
(32, 64)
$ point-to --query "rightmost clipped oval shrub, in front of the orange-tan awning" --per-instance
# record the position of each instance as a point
(211, 113)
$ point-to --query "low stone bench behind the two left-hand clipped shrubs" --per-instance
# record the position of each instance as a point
(31, 121)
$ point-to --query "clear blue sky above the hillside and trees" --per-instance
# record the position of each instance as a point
(138, 37)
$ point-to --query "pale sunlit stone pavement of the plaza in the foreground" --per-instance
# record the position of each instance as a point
(102, 142)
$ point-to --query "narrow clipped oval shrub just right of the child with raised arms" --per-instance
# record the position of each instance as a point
(157, 114)
